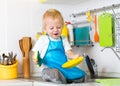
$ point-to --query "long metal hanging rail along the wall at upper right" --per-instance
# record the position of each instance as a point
(96, 10)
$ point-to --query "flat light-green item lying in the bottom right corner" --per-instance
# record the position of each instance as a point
(109, 82)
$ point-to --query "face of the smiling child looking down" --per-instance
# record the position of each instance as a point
(53, 27)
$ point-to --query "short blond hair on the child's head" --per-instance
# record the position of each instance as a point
(52, 13)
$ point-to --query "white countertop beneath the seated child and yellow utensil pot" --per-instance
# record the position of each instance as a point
(37, 81)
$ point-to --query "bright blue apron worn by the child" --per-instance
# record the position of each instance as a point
(55, 57)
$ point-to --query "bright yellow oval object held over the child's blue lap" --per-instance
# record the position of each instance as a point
(73, 62)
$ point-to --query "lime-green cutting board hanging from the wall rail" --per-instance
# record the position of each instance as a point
(105, 25)
